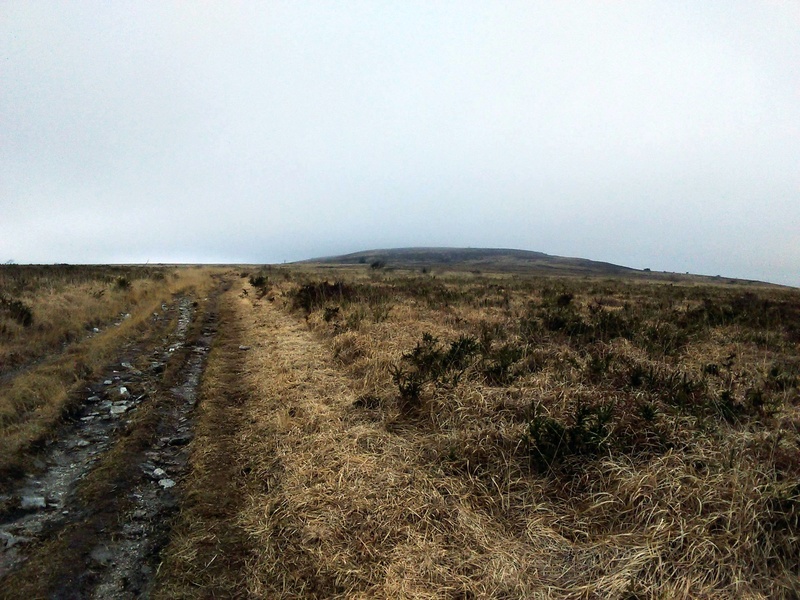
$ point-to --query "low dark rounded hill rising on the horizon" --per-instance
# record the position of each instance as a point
(476, 259)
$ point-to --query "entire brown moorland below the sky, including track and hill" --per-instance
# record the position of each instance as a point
(424, 423)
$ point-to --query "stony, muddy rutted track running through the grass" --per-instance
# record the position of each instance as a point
(91, 520)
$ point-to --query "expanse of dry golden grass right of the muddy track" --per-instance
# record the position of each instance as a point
(352, 493)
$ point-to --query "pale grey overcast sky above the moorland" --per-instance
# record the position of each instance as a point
(649, 134)
